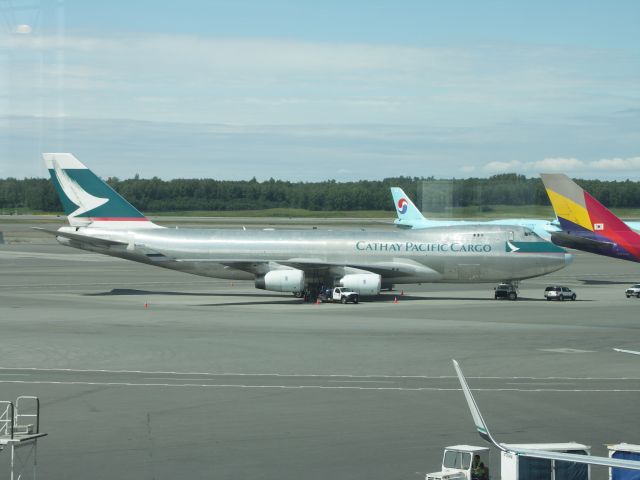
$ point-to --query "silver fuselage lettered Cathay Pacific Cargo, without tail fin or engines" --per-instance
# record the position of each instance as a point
(465, 254)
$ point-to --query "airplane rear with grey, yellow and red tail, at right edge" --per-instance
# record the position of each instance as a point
(588, 225)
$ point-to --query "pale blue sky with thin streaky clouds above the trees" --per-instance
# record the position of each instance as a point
(310, 90)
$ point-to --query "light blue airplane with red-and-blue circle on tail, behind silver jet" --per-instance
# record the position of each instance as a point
(410, 217)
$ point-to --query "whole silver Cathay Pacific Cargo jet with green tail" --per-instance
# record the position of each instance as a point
(295, 261)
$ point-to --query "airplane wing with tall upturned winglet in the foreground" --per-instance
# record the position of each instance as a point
(483, 430)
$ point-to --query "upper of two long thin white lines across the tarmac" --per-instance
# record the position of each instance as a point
(293, 375)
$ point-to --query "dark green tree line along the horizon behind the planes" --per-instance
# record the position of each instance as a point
(156, 195)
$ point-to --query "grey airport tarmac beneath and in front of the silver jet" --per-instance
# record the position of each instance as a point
(144, 373)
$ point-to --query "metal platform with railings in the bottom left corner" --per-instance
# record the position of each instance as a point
(19, 433)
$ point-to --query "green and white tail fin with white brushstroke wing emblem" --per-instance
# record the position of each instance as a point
(87, 199)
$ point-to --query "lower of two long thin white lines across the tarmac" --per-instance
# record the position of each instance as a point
(317, 387)
